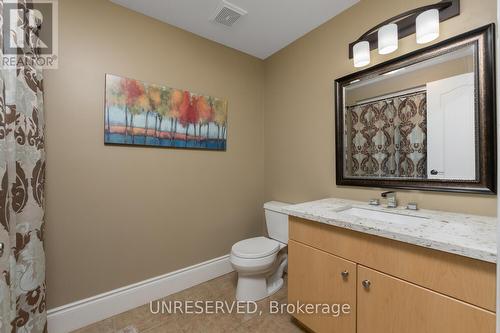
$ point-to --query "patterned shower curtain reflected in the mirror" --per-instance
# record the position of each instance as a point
(387, 138)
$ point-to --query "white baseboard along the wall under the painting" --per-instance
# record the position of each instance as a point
(87, 311)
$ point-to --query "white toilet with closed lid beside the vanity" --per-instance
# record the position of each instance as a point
(258, 261)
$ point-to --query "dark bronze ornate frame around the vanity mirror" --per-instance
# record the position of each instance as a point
(484, 40)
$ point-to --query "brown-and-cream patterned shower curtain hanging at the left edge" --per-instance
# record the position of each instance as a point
(22, 174)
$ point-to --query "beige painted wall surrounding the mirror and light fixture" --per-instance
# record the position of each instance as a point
(299, 106)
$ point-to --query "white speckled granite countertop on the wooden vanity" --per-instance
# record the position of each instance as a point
(471, 236)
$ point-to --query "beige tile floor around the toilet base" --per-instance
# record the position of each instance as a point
(141, 319)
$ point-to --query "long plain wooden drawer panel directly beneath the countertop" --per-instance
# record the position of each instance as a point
(469, 280)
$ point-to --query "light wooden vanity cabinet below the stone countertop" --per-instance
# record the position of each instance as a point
(392, 287)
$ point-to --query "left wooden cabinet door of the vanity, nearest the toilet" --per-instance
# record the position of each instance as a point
(317, 277)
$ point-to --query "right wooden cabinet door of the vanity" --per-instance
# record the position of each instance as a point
(389, 305)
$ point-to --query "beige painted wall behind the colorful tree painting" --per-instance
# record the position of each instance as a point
(119, 215)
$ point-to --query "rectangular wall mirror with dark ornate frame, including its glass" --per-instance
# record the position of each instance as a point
(425, 120)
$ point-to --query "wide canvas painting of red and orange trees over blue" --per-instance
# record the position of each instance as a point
(142, 114)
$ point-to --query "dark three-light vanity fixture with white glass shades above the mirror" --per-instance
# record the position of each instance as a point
(424, 21)
